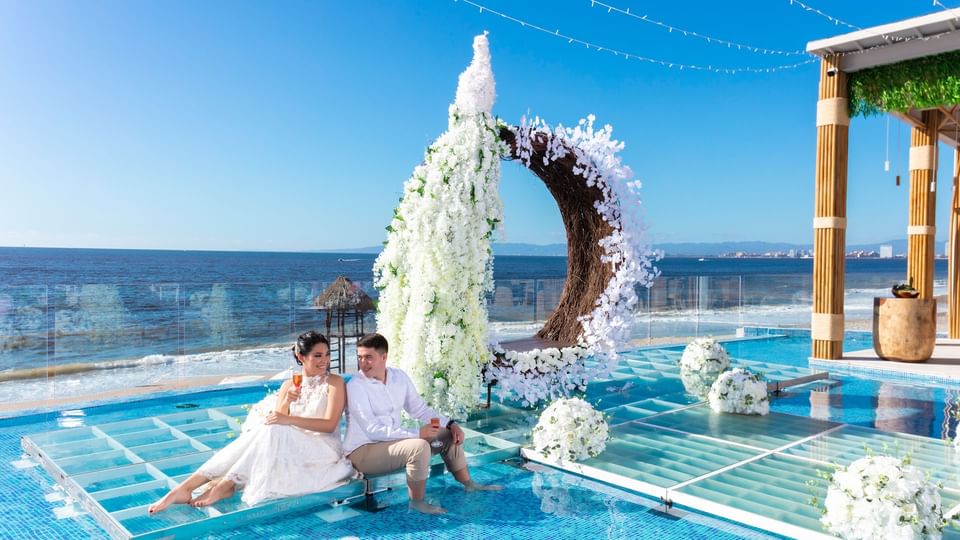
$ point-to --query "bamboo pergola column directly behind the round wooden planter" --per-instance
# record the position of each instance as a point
(920, 229)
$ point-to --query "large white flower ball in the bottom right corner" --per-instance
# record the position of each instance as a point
(882, 497)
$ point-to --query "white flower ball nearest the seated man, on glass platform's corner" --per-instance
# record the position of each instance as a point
(570, 429)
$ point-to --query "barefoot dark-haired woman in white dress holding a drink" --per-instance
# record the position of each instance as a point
(295, 451)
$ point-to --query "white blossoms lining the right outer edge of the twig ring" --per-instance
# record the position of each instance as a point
(625, 250)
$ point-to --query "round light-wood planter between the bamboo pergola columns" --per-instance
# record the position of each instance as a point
(904, 329)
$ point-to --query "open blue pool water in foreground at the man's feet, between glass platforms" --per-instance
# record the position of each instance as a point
(535, 504)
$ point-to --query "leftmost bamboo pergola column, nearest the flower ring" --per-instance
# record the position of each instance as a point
(830, 211)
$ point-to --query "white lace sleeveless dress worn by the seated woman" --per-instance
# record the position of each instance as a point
(275, 461)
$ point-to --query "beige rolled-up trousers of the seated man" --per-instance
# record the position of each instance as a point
(414, 454)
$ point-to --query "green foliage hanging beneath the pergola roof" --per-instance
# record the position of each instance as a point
(921, 83)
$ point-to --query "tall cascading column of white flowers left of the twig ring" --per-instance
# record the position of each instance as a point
(437, 266)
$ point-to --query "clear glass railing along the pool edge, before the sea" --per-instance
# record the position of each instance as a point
(94, 338)
